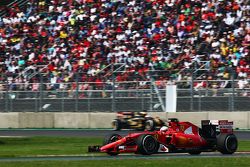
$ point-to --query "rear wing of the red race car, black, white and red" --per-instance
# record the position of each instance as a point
(224, 126)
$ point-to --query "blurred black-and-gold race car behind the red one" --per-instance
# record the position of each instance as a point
(136, 120)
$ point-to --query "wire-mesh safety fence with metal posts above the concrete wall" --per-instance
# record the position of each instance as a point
(122, 96)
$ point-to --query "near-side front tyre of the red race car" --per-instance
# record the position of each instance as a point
(147, 144)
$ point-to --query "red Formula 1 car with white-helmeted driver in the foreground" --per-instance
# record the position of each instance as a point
(177, 137)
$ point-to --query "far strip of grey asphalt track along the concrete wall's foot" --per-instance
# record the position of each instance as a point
(241, 135)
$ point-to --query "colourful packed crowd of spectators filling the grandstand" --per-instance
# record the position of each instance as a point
(171, 37)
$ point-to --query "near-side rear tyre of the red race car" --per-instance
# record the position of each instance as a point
(227, 143)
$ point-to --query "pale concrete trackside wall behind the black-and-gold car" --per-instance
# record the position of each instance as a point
(103, 120)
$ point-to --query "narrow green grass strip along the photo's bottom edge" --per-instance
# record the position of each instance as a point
(194, 162)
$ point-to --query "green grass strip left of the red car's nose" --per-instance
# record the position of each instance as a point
(33, 146)
